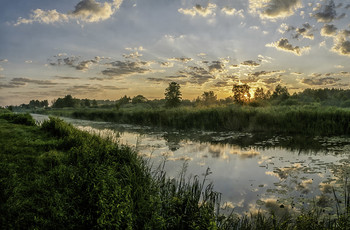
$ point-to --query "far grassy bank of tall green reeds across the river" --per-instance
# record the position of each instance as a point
(311, 120)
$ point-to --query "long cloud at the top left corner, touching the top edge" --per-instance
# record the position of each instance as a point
(85, 10)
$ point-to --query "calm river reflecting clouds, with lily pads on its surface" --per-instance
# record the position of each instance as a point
(252, 172)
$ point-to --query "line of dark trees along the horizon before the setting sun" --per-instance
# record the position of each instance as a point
(241, 95)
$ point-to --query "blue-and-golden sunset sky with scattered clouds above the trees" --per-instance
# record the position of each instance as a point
(105, 49)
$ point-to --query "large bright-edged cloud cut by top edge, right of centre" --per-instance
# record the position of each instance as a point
(272, 9)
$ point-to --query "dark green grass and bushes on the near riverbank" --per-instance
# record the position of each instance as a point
(57, 177)
